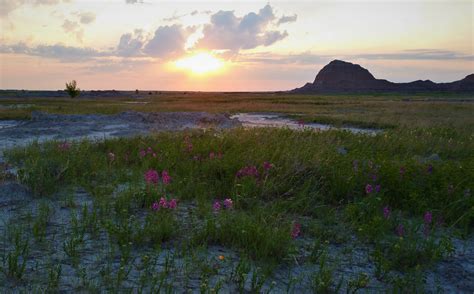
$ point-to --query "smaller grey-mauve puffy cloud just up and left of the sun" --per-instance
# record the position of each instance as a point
(168, 41)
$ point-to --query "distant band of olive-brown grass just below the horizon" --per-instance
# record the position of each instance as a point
(370, 110)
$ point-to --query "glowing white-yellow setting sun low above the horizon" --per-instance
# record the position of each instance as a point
(200, 63)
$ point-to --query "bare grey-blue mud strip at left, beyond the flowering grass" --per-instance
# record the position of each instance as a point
(44, 127)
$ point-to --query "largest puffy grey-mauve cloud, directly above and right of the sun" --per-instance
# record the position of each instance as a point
(226, 31)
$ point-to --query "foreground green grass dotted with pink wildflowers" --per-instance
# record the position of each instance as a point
(402, 195)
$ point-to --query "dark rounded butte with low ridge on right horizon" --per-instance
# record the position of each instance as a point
(340, 76)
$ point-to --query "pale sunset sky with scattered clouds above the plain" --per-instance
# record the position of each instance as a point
(228, 45)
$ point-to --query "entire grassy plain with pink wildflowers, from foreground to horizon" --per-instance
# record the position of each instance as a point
(311, 211)
